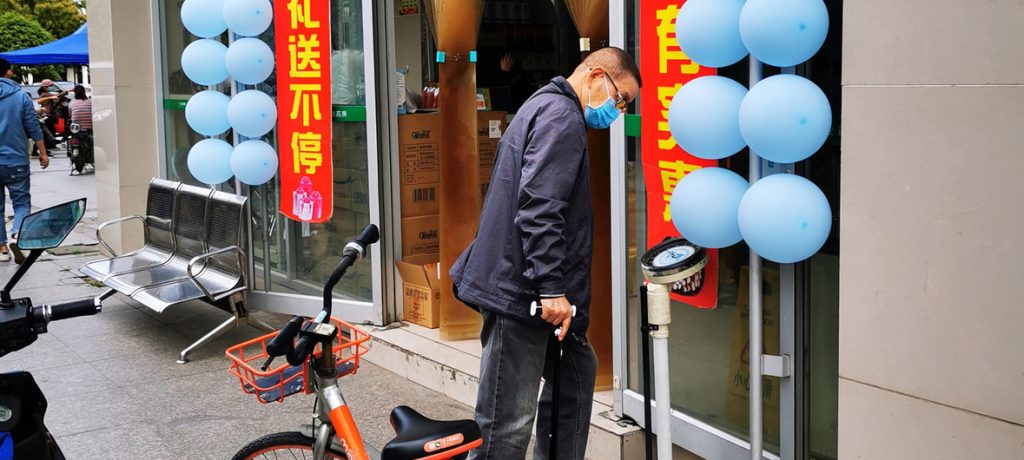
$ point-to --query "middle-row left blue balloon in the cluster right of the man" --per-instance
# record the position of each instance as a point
(704, 117)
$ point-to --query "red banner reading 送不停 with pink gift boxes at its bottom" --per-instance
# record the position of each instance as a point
(303, 38)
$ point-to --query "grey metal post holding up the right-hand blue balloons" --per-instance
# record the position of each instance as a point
(755, 352)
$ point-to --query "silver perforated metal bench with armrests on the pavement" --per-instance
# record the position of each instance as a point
(192, 250)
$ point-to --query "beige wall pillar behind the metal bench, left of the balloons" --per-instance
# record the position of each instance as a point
(122, 61)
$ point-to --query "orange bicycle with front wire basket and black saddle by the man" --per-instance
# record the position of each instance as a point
(320, 352)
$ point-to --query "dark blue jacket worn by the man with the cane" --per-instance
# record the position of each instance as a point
(536, 234)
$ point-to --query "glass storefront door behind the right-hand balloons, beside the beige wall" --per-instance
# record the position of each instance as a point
(709, 362)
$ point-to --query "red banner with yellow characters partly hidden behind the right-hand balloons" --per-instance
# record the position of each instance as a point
(666, 69)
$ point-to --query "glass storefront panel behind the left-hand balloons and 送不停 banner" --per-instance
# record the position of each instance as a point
(291, 261)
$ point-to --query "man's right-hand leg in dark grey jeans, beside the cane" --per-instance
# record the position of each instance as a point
(579, 372)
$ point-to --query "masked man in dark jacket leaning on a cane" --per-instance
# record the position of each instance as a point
(535, 243)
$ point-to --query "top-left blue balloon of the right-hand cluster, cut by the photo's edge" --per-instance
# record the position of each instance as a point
(708, 31)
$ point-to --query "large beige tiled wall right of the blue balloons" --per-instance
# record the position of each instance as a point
(932, 323)
